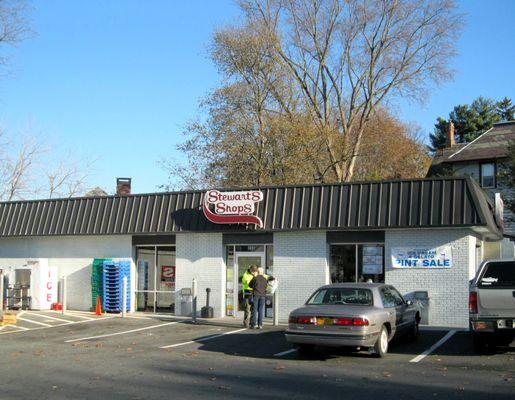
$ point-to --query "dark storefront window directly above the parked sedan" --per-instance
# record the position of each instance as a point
(357, 263)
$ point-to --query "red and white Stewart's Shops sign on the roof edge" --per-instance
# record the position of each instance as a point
(232, 207)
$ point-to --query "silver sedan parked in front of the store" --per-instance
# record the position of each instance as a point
(364, 315)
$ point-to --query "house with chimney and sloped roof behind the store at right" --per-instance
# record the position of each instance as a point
(483, 159)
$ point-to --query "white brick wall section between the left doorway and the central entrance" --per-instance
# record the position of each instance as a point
(201, 256)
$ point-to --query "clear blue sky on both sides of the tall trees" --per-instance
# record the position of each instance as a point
(115, 81)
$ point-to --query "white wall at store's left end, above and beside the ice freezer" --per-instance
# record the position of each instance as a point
(72, 255)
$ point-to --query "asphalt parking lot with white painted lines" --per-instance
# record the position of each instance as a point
(159, 357)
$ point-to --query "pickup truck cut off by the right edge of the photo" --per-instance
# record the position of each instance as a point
(492, 304)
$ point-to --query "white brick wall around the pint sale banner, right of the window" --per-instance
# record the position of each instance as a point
(448, 288)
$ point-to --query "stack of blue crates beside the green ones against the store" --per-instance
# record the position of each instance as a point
(113, 273)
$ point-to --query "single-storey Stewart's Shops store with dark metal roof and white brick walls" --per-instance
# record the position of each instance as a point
(426, 237)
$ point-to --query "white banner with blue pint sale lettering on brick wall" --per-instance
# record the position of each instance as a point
(419, 257)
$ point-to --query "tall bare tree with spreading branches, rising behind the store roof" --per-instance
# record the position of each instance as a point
(349, 57)
